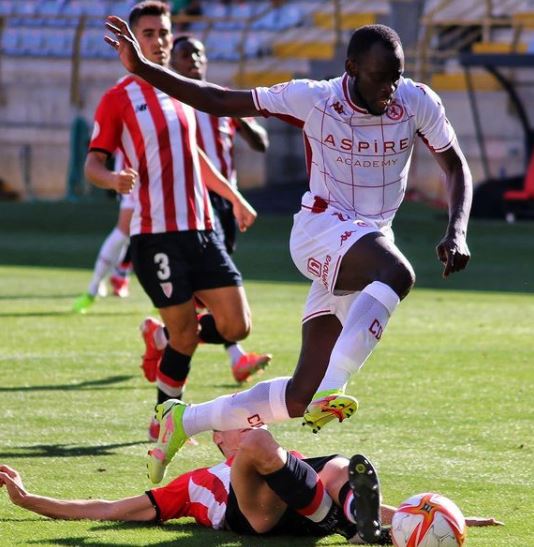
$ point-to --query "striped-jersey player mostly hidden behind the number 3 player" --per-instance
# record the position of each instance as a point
(216, 136)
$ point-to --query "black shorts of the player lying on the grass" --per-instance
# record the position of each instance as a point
(291, 523)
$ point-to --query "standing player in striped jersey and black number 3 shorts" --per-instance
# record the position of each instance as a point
(175, 252)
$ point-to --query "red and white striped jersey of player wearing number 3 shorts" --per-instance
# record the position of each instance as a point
(157, 135)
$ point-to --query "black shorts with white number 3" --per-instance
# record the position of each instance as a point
(172, 266)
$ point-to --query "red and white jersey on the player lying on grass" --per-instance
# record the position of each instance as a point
(201, 494)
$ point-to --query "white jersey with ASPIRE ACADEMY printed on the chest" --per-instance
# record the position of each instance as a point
(358, 163)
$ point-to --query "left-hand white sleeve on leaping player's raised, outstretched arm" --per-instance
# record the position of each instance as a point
(295, 98)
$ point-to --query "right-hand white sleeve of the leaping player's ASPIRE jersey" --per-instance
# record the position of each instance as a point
(432, 123)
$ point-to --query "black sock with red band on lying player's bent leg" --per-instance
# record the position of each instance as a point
(298, 485)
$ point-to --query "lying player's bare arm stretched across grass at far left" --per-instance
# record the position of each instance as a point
(138, 508)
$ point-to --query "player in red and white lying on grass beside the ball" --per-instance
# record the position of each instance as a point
(259, 489)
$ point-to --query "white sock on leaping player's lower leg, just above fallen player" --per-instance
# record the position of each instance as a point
(262, 404)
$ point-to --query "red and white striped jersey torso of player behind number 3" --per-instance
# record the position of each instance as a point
(216, 137)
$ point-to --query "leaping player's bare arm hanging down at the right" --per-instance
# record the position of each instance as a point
(452, 250)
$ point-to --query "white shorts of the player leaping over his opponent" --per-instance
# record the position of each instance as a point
(319, 240)
